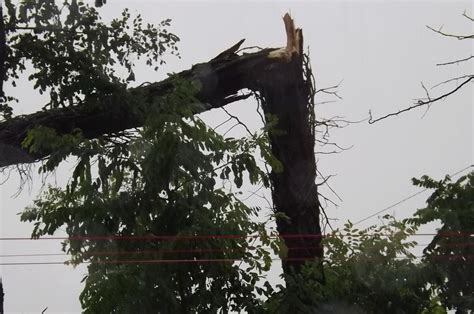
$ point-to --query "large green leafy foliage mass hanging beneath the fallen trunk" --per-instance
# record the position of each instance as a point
(160, 181)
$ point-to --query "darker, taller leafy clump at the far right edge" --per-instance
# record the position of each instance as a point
(451, 251)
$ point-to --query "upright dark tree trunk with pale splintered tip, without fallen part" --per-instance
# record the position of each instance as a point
(286, 97)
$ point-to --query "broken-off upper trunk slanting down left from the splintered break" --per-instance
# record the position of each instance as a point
(219, 80)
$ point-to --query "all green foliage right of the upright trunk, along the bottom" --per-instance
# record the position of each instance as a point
(373, 270)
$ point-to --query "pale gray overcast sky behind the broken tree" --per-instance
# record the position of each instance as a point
(381, 50)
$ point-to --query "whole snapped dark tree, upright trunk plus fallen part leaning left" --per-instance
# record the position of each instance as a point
(275, 73)
